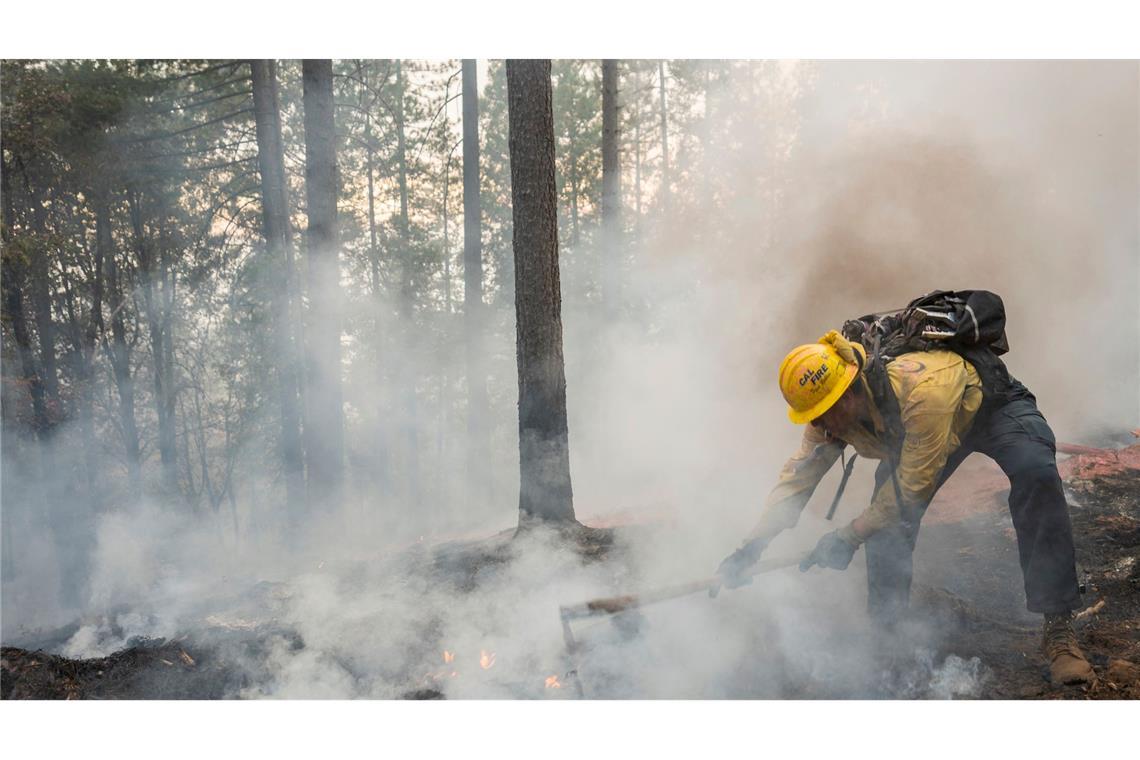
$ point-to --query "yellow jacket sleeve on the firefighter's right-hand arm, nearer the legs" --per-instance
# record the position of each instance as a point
(929, 418)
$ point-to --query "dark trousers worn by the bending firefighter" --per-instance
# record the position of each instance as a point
(1017, 437)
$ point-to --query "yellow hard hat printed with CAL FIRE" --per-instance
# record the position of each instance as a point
(812, 379)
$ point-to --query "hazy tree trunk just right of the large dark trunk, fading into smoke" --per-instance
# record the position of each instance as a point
(612, 186)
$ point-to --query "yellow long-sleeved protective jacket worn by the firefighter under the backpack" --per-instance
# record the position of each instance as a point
(939, 396)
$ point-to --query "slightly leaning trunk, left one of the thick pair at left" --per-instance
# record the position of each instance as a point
(280, 248)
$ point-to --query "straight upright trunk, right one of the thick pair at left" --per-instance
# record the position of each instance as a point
(325, 423)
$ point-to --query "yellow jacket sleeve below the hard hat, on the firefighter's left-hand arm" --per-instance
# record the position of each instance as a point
(799, 479)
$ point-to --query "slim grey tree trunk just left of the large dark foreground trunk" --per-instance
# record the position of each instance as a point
(478, 445)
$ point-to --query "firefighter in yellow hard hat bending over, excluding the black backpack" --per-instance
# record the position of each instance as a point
(940, 396)
